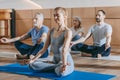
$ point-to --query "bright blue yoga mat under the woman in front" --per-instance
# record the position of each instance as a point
(76, 75)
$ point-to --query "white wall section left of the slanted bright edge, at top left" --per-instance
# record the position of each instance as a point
(18, 4)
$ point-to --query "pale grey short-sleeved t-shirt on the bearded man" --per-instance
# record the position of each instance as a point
(99, 33)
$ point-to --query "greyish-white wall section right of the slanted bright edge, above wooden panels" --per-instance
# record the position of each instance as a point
(76, 3)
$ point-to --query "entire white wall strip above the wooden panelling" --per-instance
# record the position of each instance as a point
(37, 4)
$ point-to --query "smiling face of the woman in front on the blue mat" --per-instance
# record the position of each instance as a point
(58, 17)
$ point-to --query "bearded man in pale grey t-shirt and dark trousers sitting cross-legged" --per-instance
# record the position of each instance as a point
(101, 33)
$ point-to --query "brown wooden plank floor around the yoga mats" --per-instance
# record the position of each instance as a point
(81, 63)
